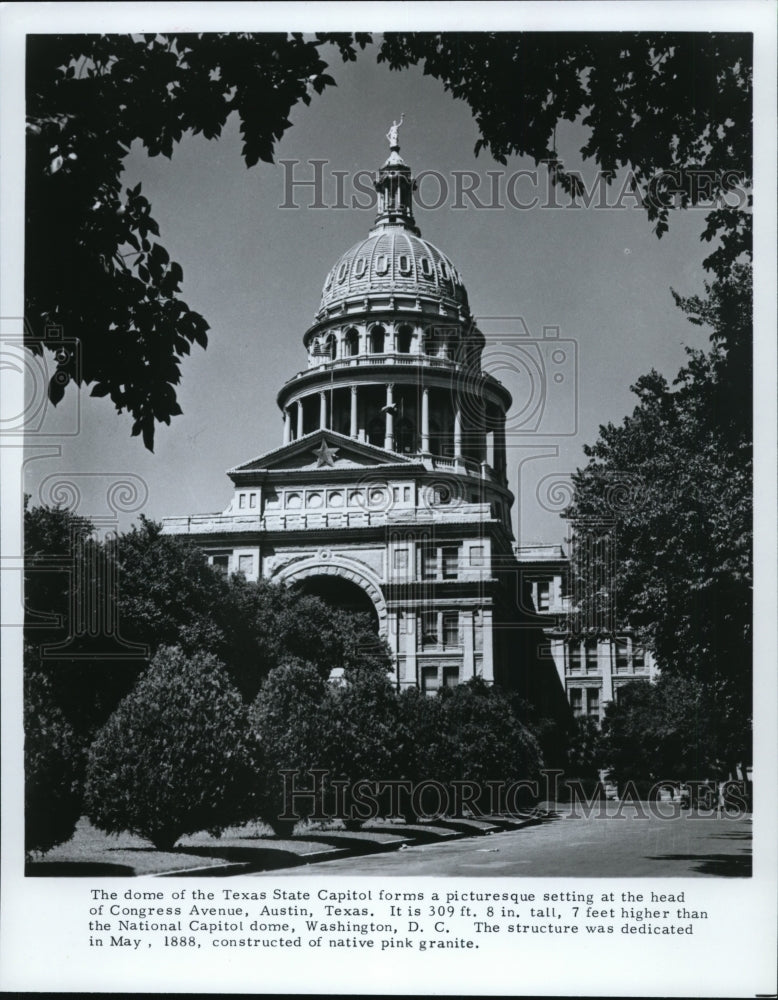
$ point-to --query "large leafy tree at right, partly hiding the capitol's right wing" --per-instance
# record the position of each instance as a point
(668, 492)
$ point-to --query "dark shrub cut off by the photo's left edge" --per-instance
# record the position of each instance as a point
(53, 761)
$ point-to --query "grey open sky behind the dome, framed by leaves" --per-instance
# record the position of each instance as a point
(255, 271)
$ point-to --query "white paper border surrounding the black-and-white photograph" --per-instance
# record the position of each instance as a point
(737, 958)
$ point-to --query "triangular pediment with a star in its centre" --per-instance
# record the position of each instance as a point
(323, 450)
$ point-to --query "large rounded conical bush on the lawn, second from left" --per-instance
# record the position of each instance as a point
(176, 756)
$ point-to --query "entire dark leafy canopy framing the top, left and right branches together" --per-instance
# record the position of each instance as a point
(675, 109)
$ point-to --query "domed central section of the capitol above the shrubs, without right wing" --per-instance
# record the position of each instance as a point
(388, 493)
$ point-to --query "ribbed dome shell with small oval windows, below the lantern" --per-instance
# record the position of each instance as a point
(394, 261)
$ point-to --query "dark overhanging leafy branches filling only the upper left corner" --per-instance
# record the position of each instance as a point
(92, 264)
